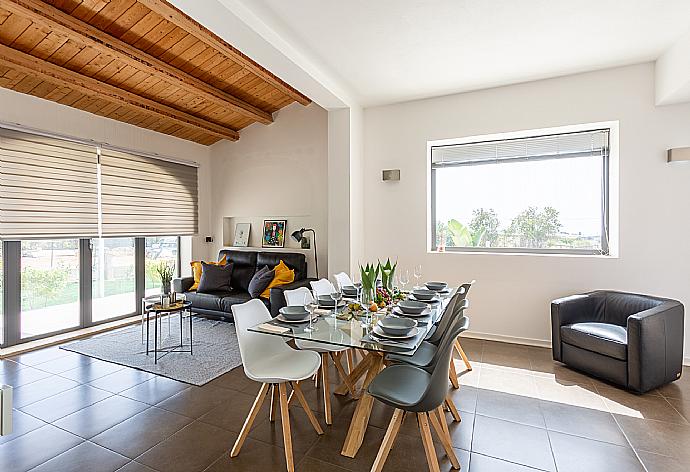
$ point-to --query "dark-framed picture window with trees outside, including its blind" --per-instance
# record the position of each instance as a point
(545, 193)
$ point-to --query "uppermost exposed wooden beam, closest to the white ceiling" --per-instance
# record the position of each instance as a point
(184, 21)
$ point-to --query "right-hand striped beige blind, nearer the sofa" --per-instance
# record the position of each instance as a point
(144, 196)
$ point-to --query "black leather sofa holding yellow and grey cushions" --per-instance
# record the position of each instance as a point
(245, 264)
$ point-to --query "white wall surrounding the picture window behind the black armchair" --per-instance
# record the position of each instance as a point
(512, 294)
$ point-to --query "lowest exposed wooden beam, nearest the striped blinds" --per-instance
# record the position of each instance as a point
(34, 67)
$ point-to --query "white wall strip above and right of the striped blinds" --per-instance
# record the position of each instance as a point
(55, 118)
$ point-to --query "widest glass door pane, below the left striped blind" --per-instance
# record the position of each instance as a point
(49, 286)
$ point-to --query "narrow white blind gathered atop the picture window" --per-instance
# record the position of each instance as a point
(580, 144)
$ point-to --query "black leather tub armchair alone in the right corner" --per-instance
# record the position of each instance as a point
(632, 340)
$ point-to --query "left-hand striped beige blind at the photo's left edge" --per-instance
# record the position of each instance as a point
(48, 187)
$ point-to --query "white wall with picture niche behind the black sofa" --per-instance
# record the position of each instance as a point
(275, 171)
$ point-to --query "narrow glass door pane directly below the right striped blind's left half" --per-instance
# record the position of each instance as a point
(113, 278)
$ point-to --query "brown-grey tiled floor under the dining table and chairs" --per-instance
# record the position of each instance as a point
(521, 412)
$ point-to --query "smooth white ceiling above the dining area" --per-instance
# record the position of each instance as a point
(385, 51)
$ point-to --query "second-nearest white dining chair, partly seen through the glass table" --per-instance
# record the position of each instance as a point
(300, 297)
